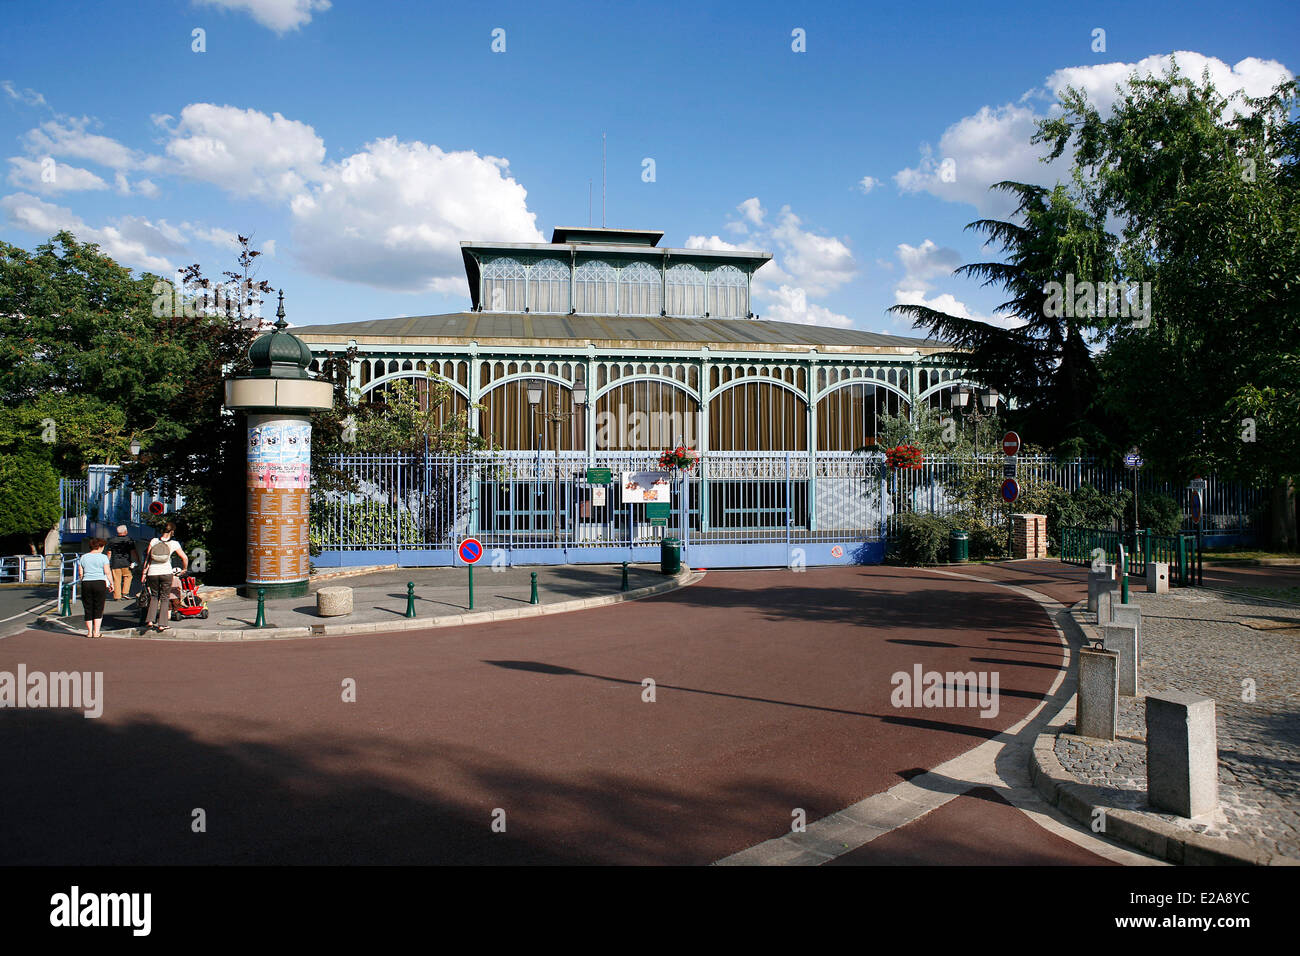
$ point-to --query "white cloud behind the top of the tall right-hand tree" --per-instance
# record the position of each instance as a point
(994, 144)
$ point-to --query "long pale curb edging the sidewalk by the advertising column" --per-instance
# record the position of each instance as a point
(271, 634)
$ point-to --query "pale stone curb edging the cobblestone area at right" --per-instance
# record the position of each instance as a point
(1139, 830)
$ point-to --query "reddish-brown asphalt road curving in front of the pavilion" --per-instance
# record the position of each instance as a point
(773, 694)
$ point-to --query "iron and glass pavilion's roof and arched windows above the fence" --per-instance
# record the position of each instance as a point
(665, 341)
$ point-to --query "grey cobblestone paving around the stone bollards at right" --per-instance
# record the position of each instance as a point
(1193, 641)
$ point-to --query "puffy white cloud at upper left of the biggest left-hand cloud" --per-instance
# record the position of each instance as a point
(245, 152)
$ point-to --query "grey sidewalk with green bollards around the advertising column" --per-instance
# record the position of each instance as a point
(380, 602)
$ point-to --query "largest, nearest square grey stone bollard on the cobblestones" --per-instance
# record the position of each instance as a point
(1182, 754)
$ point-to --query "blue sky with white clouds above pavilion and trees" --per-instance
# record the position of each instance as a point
(361, 142)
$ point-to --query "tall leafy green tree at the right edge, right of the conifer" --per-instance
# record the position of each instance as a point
(1206, 187)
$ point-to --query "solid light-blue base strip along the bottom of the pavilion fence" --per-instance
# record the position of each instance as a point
(775, 555)
